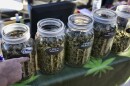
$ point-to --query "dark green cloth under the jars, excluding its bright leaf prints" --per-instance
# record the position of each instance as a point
(75, 76)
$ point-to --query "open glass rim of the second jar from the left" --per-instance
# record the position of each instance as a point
(50, 27)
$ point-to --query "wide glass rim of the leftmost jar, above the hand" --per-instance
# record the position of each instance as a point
(15, 33)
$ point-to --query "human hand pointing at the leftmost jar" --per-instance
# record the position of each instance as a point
(11, 70)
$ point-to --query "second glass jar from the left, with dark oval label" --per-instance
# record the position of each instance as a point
(50, 45)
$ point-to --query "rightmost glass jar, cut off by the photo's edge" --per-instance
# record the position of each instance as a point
(122, 38)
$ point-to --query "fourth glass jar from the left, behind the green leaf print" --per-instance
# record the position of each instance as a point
(104, 31)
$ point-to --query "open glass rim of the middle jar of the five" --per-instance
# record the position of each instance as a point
(80, 22)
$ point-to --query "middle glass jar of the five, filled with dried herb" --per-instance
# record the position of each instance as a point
(79, 40)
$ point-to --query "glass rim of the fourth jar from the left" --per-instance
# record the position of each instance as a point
(105, 16)
